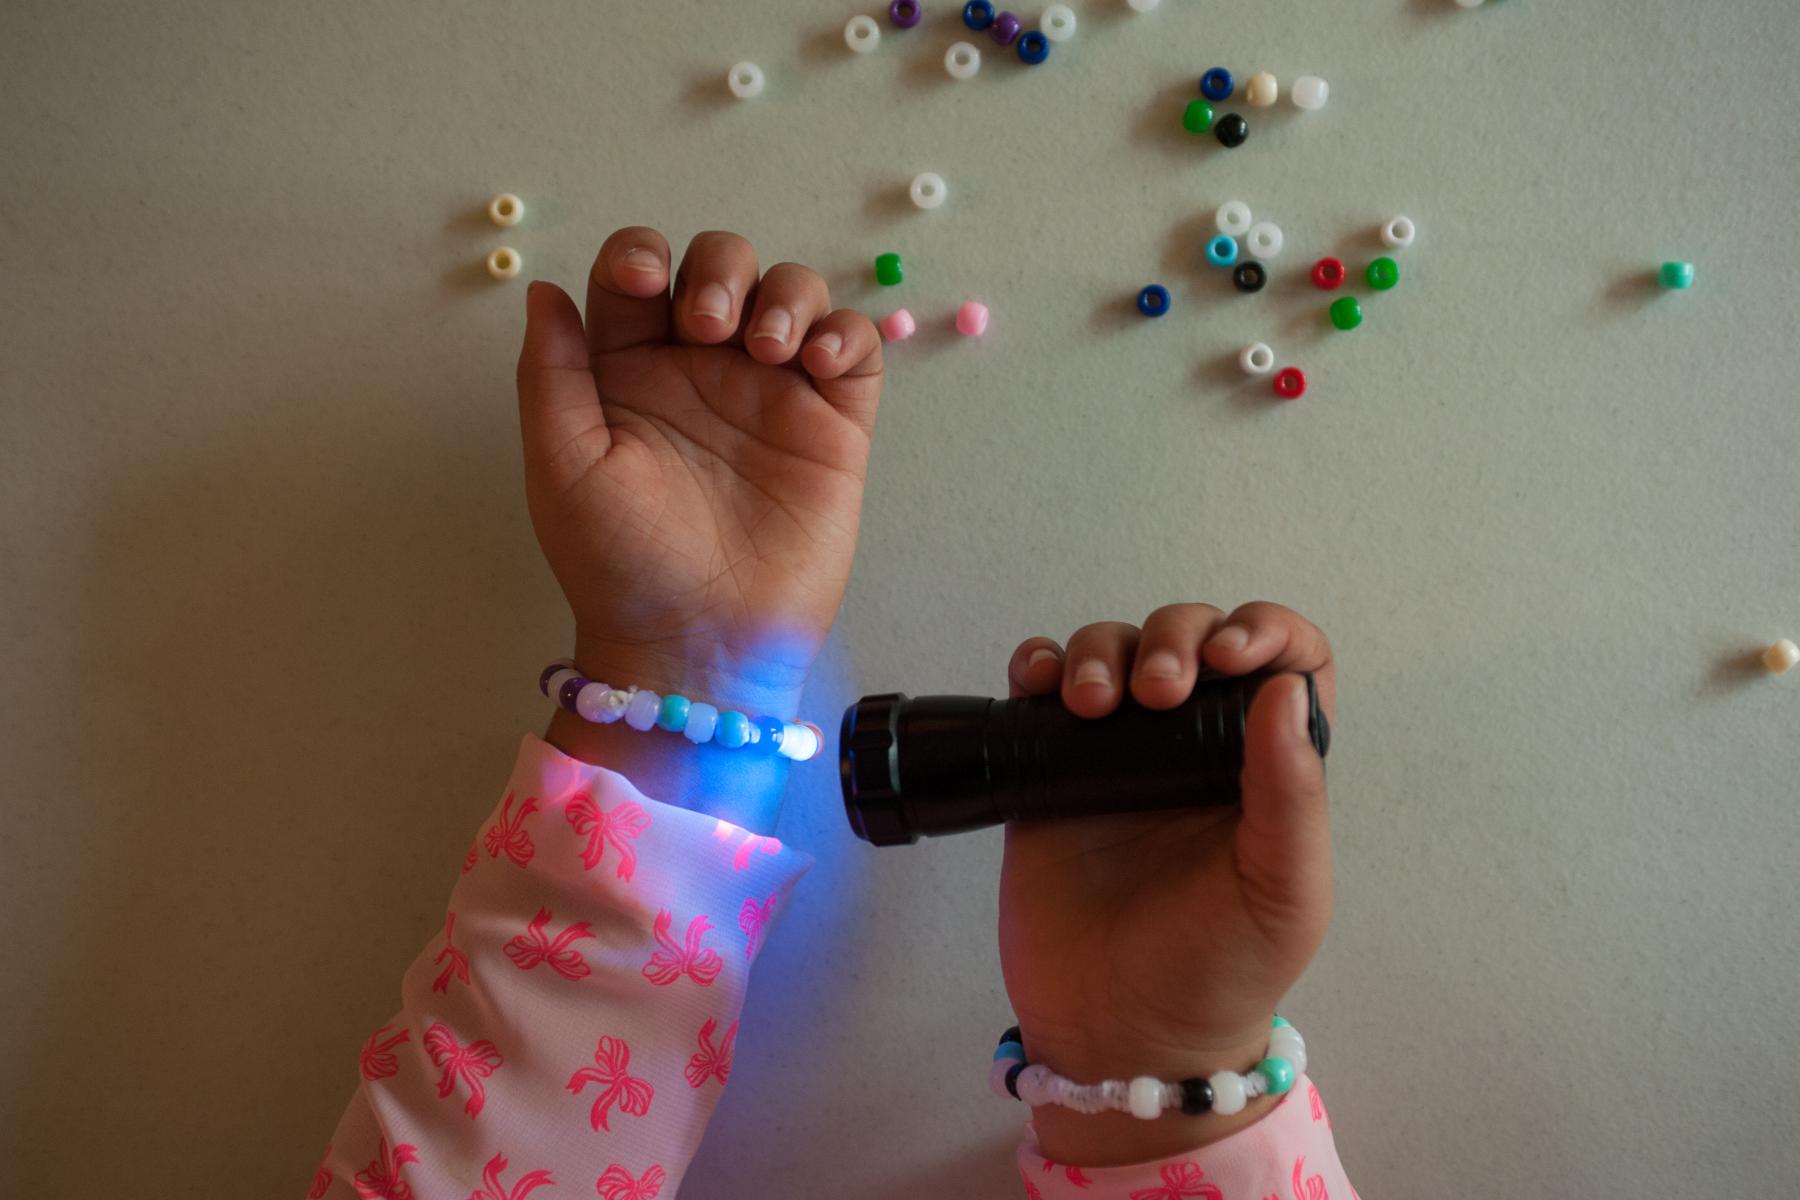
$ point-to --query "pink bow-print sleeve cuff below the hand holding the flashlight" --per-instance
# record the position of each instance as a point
(1288, 1156)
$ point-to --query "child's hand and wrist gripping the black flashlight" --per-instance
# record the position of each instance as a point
(1160, 944)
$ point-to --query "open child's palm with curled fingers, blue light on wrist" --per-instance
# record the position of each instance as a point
(696, 467)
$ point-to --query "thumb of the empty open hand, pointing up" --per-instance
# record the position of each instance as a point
(557, 399)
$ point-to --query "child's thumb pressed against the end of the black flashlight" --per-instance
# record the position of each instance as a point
(1284, 841)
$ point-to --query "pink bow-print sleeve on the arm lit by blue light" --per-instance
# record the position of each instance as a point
(573, 1023)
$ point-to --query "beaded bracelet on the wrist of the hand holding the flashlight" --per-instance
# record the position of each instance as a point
(1147, 1097)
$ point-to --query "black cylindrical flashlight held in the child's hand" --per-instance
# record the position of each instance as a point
(931, 766)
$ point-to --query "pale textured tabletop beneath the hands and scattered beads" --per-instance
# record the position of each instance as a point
(264, 506)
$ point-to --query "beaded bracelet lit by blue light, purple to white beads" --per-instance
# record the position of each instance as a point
(699, 722)
